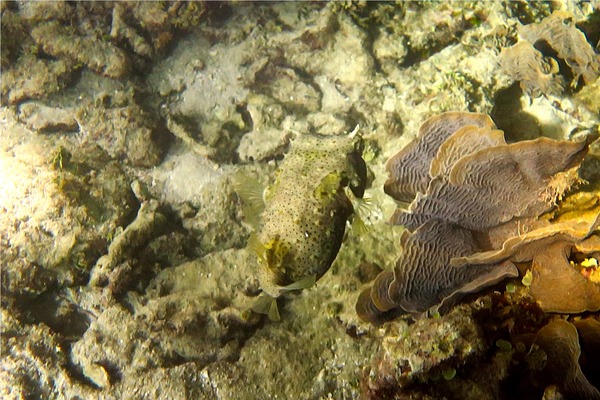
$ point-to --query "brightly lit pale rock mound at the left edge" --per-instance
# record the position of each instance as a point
(61, 207)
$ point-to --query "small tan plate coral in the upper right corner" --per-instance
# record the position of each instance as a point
(539, 74)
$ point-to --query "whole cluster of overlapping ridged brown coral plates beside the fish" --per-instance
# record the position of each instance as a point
(479, 213)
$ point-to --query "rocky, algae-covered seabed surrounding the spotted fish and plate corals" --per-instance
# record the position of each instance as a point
(123, 243)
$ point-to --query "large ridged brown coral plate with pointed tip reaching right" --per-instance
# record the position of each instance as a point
(497, 184)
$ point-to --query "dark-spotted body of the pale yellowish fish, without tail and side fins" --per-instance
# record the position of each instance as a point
(306, 209)
